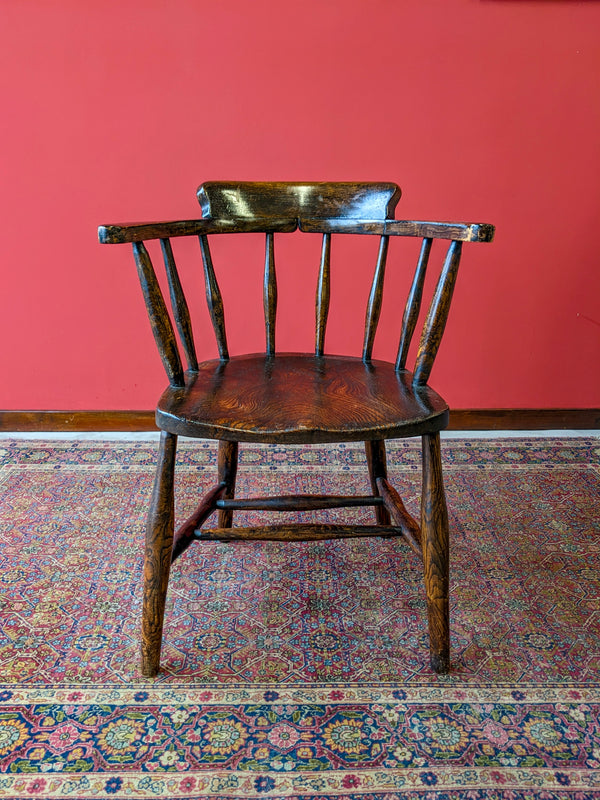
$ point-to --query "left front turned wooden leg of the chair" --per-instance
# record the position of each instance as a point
(157, 560)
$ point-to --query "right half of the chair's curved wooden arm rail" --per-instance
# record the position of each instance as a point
(461, 232)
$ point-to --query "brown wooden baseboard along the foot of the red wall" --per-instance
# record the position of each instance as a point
(477, 419)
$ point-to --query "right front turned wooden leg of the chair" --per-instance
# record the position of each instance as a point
(434, 525)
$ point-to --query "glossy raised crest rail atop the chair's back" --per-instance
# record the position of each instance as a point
(250, 200)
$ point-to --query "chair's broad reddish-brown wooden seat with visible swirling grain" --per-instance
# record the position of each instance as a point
(298, 398)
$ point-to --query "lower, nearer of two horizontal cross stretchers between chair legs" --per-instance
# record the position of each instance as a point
(295, 533)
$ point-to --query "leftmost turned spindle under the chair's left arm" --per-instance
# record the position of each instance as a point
(160, 321)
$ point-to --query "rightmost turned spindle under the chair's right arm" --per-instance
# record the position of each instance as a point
(437, 316)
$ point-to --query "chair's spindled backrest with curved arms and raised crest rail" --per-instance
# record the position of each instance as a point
(325, 208)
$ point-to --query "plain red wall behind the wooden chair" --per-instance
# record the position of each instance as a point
(482, 110)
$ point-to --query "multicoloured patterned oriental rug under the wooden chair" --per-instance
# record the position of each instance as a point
(300, 670)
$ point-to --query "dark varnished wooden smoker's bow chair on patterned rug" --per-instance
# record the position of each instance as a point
(295, 398)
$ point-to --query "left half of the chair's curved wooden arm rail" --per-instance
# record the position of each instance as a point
(142, 231)
